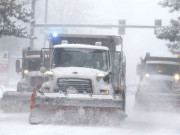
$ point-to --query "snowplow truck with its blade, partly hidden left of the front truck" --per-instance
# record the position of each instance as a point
(28, 66)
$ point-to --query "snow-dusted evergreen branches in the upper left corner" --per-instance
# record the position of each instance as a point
(13, 15)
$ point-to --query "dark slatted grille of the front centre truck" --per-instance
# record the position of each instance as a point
(81, 85)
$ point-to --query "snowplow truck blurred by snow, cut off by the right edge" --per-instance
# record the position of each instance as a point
(159, 86)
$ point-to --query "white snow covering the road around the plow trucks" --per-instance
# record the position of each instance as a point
(137, 123)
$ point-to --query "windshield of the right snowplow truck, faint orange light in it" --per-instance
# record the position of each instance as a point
(164, 69)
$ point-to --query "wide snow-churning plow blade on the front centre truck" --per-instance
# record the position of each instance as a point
(76, 109)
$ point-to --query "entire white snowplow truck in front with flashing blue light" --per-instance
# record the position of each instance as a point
(86, 82)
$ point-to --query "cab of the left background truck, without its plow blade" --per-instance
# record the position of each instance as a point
(29, 67)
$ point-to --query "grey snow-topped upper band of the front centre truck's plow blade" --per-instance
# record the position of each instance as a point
(79, 100)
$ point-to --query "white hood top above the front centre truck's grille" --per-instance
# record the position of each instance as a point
(75, 72)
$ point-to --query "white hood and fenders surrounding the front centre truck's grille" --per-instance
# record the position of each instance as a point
(79, 73)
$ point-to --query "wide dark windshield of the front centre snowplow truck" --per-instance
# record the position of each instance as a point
(76, 57)
